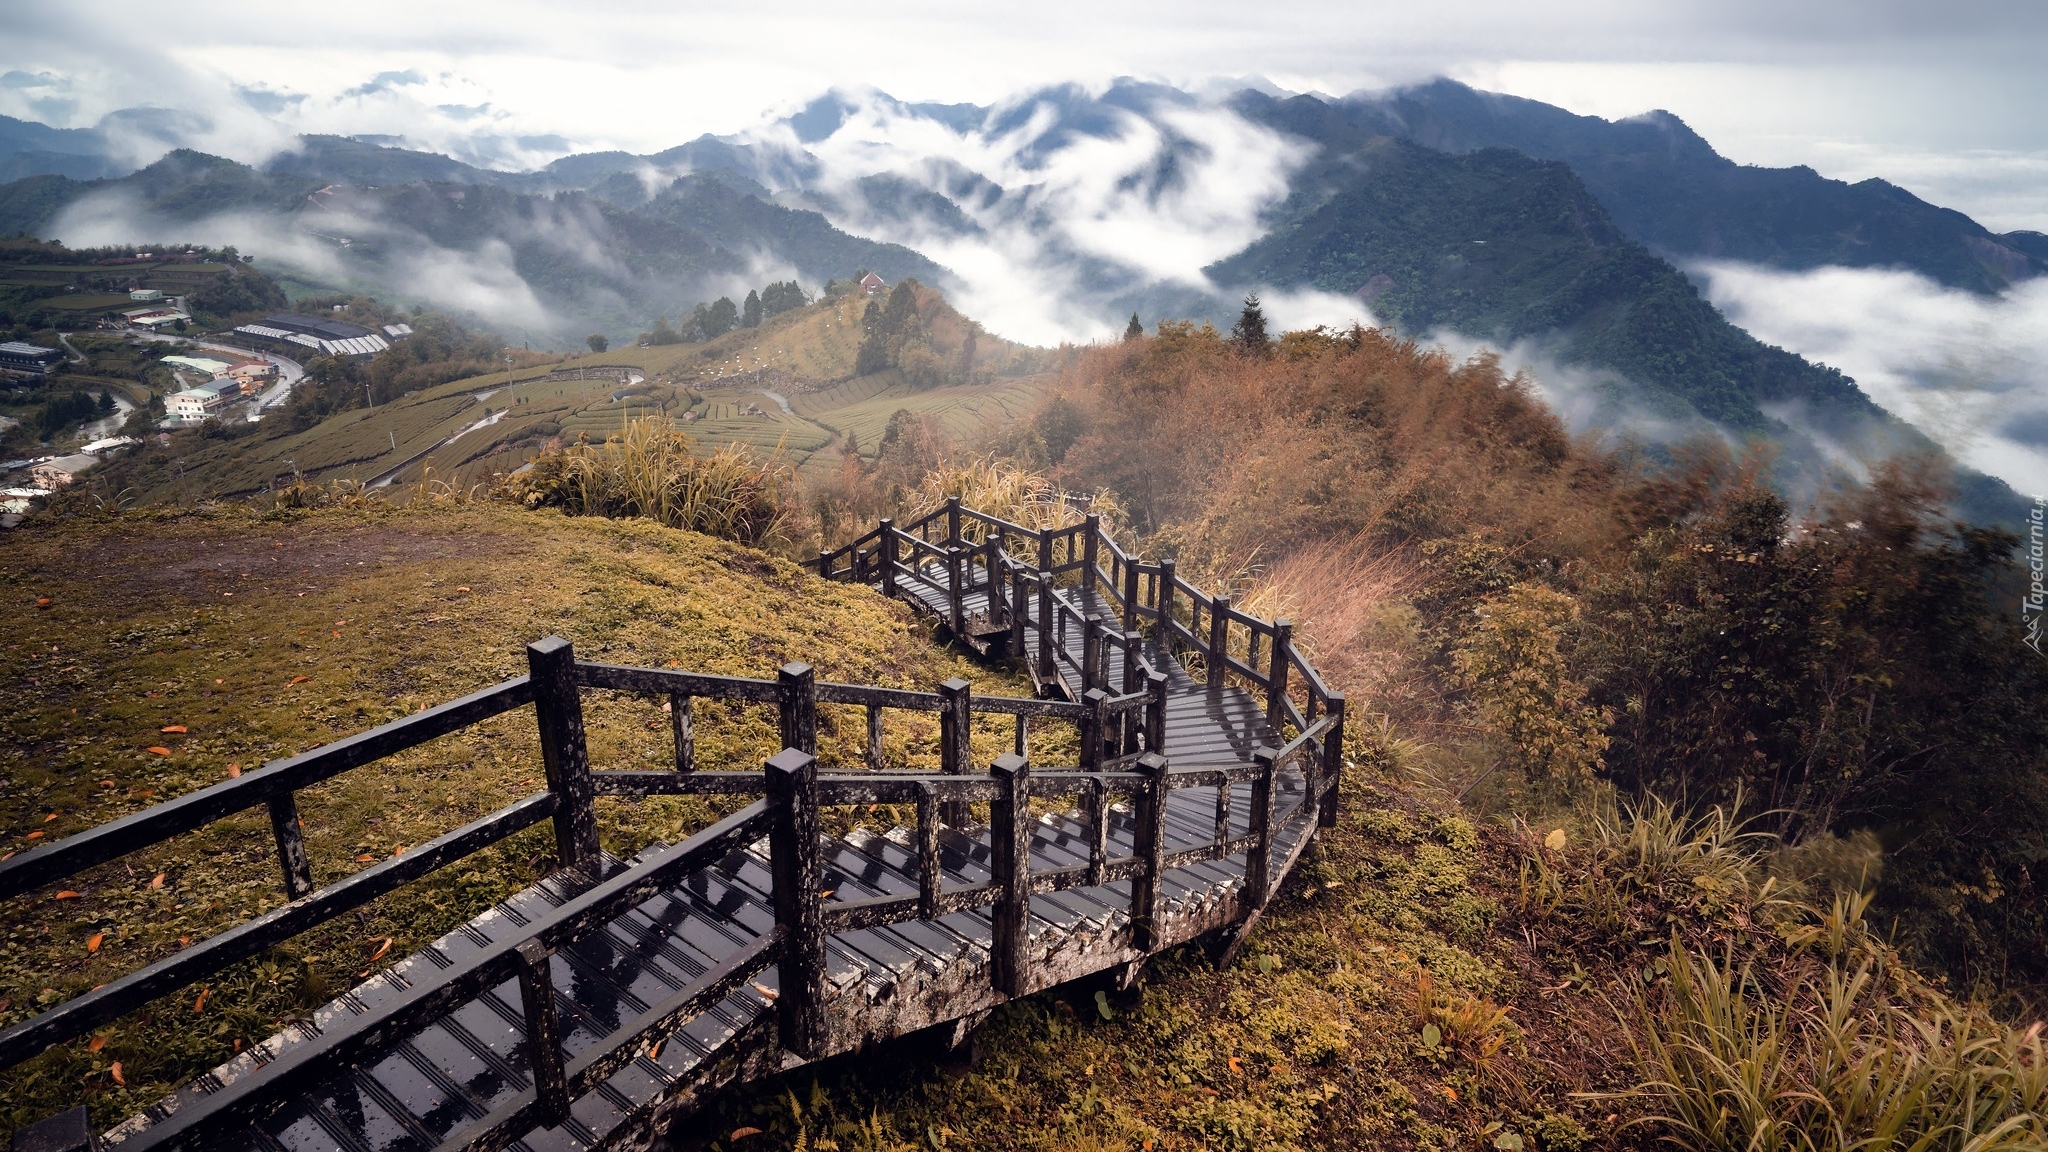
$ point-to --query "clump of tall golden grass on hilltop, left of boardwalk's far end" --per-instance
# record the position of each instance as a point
(652, 470)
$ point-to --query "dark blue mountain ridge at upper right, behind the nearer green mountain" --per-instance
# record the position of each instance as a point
(1670, 190)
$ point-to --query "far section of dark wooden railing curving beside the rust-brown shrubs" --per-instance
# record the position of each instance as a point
(968, 552)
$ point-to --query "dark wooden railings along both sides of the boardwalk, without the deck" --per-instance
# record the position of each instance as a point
(1123, 755)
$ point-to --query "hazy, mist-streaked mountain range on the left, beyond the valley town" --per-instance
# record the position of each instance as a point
(591, 259)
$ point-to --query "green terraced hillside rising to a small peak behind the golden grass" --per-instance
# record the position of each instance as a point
(474, 429)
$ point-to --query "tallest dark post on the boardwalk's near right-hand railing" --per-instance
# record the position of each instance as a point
(796, 862)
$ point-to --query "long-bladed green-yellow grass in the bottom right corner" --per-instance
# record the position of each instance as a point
(1797, 1034)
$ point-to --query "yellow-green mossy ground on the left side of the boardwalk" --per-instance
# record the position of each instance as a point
(267, 636)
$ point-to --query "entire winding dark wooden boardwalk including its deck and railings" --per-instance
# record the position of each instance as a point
(599, 1005)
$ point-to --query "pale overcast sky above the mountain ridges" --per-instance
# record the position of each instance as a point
(1945, 97)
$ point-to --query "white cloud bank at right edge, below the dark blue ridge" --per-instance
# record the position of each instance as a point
(1967, 370)
